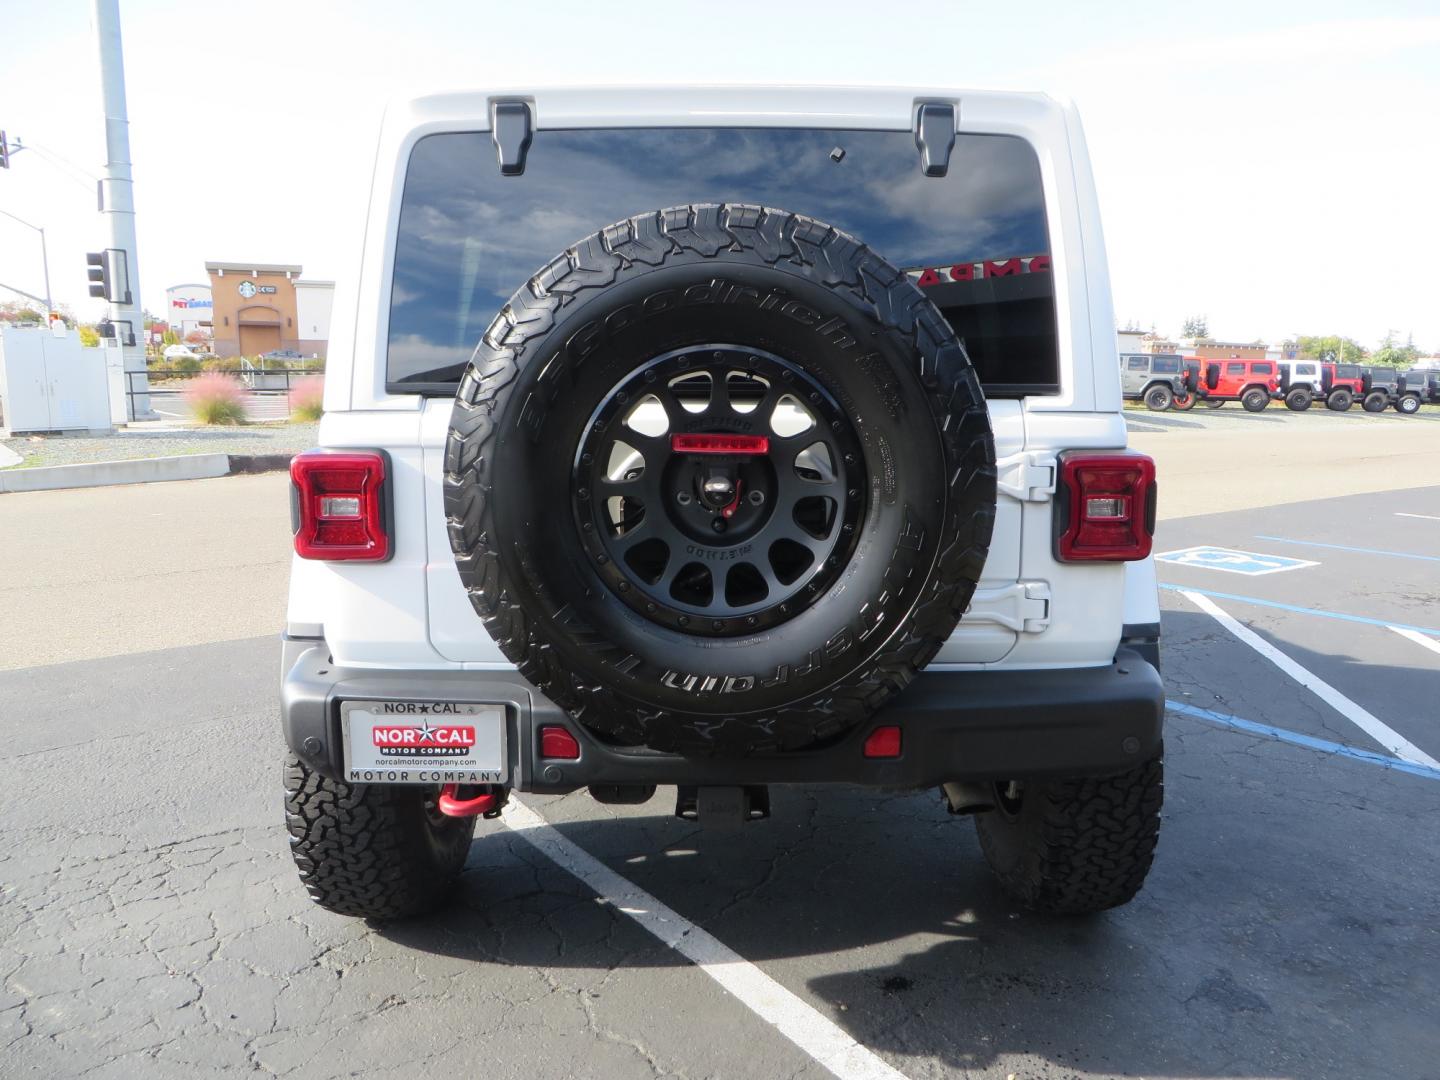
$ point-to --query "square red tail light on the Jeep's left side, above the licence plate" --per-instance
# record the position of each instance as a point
(339, 506)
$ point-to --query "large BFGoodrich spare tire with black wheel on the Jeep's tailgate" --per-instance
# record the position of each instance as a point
(721, 480)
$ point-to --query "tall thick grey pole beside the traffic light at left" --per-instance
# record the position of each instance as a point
(117, 202)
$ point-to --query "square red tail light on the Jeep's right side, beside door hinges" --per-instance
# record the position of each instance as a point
(1105, 508)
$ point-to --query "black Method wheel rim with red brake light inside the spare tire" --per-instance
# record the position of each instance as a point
(725, 532)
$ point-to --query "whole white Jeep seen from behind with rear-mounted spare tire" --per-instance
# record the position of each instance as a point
(724, 438)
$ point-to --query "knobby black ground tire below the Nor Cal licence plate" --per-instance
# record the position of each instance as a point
(375, 852)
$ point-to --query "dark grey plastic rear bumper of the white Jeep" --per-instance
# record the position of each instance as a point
(957, 726)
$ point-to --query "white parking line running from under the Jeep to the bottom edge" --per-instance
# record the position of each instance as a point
(800, 1023)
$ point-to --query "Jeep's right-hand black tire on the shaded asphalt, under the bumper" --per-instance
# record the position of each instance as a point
(1075, 846)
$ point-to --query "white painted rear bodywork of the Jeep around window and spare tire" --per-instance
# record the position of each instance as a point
(1029, 611)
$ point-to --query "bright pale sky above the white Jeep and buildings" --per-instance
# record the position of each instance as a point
(1271, 166)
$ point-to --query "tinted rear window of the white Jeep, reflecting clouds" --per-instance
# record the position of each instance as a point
(976, 240)
